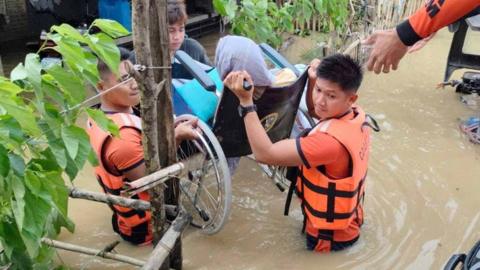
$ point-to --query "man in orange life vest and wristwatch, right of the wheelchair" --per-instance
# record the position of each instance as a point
(332, 158)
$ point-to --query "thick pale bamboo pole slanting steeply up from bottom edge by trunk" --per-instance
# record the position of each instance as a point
(166, 244)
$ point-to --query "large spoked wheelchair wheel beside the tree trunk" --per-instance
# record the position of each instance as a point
(206, 188)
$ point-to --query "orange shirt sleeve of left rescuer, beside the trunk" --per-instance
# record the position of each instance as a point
(126, 152)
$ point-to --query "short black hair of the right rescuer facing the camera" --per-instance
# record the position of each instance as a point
(341, 69)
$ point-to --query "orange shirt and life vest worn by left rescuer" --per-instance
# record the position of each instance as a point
(118, 155)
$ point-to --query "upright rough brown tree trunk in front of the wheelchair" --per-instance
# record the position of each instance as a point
(151, 48)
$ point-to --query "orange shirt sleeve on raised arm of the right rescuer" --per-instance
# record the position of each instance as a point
(319, 149)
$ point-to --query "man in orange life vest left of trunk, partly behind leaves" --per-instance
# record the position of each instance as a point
(121, 158)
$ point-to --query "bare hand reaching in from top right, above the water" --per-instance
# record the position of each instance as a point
(387, 51)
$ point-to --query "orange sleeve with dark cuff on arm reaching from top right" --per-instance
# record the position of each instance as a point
(435, 15)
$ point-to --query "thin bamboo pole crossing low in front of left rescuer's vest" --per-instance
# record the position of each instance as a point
(116, 200)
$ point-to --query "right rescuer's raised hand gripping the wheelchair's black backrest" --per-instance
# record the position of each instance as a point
(234, 82)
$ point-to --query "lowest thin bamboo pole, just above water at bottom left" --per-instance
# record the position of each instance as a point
(93, 252)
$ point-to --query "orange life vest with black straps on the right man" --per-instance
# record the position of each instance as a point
(332, 204)
